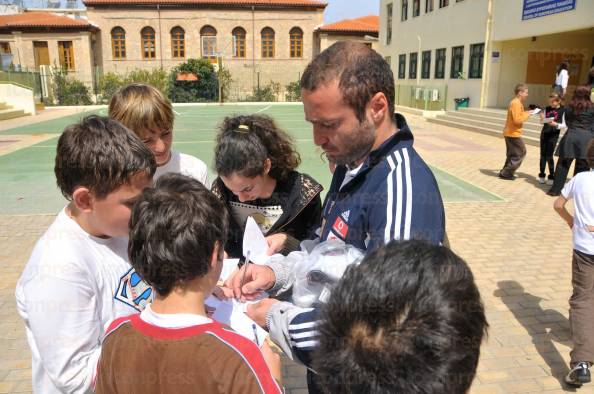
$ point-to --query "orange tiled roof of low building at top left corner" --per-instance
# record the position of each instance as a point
(45, 20)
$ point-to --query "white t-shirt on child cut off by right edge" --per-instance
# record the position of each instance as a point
(581, 189)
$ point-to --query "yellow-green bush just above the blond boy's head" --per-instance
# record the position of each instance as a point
(108, 84)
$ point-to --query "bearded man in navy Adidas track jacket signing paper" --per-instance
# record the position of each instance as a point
(381, 189)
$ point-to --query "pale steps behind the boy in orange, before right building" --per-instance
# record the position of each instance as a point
(488, 121)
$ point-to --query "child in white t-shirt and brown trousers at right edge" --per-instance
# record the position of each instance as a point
(581, 304)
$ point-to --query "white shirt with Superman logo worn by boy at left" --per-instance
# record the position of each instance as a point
(73, 286)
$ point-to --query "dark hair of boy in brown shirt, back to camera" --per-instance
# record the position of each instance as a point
(174, 228)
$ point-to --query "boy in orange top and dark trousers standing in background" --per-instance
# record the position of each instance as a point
(515, 149)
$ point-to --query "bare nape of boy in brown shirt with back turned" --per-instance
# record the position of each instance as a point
(189, 299)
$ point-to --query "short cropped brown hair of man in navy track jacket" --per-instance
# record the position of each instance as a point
(361, 73)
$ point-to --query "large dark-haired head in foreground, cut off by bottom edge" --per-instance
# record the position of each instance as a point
(408, 319)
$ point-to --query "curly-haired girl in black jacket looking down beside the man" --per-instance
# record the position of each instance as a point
(256, 162)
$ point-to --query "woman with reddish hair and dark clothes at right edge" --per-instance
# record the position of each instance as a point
(579, 118)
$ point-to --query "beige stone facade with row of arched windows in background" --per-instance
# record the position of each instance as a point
(259, 44)
